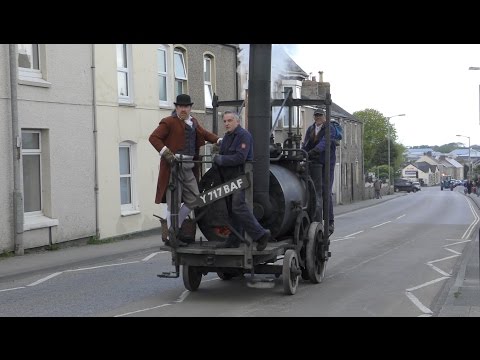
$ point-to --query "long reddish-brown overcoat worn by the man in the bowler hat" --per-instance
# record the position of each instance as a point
(171, 133)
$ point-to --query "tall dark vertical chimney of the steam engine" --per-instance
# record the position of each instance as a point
(259, 119)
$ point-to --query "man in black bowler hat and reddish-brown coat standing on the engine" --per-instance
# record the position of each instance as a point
(180, 135)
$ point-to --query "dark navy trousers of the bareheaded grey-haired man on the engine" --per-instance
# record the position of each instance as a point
(243, 218)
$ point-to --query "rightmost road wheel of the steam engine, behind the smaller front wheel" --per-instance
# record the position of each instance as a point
(316, 267)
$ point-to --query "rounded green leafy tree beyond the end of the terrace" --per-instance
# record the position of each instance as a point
(375, 139)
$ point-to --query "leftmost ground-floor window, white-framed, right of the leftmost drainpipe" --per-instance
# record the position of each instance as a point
(32, 171)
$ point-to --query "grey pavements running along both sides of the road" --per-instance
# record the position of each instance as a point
(459, 298)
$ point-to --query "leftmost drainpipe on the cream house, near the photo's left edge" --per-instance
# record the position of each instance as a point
(18, 210)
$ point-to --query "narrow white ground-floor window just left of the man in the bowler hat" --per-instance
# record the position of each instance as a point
(127, 178)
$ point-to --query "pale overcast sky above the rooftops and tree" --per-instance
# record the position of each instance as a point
(429, 83)
